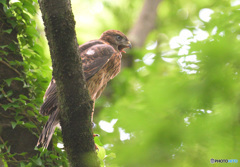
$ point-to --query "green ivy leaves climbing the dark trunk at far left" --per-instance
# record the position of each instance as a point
(21, 15)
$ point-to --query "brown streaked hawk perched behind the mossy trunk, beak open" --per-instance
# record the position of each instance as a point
(101, 60)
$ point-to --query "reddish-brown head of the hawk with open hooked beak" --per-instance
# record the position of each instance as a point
(116, 39)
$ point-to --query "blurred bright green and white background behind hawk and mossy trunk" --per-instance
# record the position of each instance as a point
(176, 100)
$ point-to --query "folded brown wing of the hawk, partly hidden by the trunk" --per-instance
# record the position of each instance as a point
(94, 55)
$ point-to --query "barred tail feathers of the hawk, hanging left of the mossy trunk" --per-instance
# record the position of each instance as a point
(48, 130)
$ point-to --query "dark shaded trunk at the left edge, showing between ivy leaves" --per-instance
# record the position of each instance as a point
(19, 139)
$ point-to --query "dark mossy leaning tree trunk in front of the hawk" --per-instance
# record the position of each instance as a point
(74, 100)
